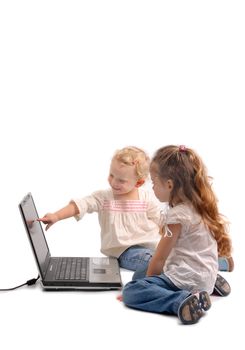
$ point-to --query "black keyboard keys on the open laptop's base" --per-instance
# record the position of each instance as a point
(72, 269)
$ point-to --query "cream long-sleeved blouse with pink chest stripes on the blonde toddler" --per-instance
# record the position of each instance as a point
(123, 223)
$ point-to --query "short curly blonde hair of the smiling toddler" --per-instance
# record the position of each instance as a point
(134, 156)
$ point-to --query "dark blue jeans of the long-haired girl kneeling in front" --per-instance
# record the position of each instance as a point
(154, 294)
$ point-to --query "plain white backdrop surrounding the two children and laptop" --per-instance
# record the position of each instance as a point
(78, 80)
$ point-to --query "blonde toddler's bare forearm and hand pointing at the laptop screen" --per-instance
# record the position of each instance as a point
(51, 218)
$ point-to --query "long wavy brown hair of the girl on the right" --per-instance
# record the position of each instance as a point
(190, 182)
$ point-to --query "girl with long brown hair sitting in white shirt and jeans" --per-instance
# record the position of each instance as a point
(183, 270)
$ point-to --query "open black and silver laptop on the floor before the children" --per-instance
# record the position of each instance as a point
(64, 273)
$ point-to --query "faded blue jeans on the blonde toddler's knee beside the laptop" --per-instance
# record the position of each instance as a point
(135, 257)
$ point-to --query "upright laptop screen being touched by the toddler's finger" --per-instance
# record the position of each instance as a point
(35, 232)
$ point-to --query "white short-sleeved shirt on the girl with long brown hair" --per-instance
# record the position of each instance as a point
(193, 262)
